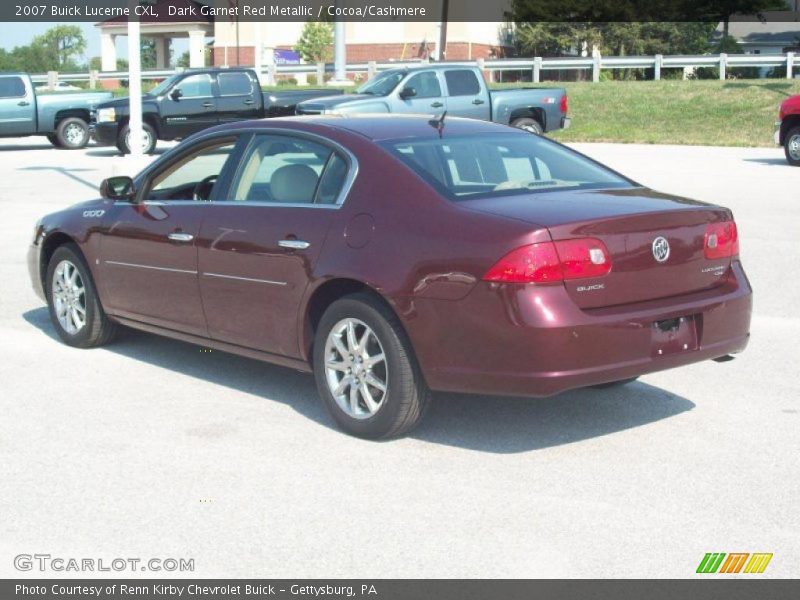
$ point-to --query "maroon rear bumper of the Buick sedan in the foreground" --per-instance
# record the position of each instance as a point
(534, 341)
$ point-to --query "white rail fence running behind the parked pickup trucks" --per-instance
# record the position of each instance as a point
(595, 64)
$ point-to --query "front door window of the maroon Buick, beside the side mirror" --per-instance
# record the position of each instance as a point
(192, 177)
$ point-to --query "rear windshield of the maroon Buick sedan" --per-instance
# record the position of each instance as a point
(467, 167)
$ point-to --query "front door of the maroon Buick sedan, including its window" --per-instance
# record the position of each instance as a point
(149, 247)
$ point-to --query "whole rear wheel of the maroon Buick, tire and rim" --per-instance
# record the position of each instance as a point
(365, 370)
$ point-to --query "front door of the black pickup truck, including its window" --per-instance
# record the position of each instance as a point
(189, 107)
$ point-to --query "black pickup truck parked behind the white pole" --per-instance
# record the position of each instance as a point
(193, 100)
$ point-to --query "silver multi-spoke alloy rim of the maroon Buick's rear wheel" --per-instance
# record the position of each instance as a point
(356, 368)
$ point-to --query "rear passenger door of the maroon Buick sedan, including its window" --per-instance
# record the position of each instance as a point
(257, 250)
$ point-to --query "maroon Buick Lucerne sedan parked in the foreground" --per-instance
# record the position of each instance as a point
(397, 255)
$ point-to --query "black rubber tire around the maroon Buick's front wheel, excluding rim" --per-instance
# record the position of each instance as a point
(97, 328)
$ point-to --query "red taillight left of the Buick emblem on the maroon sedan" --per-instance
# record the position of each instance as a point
(552, 262)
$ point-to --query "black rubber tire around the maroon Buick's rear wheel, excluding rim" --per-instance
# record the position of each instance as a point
(406, 395)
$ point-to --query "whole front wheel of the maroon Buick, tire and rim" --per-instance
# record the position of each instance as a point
(72, 299)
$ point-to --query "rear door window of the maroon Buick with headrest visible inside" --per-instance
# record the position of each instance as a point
(288, 170)
